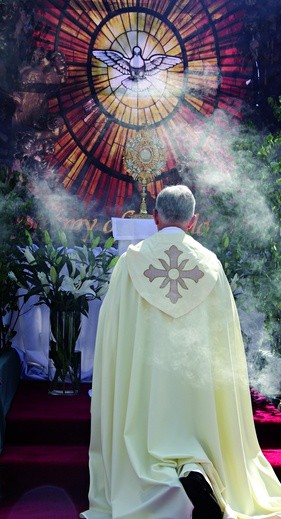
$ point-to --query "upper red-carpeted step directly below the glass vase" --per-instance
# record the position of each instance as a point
(37, 418)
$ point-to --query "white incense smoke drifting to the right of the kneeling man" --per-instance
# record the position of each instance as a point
(231, 185)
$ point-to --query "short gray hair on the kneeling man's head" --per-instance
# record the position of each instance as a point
(175, 204)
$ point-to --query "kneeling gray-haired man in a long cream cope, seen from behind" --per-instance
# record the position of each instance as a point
(172, 433)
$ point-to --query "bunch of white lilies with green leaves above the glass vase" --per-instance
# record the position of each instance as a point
(62, 277)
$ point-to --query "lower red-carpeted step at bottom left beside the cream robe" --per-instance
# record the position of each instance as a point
(24, 468)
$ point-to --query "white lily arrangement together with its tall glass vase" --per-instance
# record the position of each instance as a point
(65, 279)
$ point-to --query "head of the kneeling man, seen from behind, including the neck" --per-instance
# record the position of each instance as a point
(175, 207)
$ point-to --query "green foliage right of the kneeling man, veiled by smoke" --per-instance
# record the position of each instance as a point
(245, 227)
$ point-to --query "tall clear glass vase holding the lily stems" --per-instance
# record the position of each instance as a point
(64, 360)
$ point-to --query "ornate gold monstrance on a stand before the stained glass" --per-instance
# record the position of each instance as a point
(144, 159)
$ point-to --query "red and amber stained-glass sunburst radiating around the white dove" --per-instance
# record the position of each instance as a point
(103, 107)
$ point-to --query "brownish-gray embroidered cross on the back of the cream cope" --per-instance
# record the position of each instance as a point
(173, 273)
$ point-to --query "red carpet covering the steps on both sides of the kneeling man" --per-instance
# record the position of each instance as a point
(44, 464)
